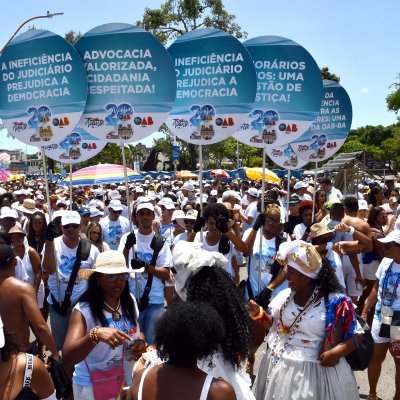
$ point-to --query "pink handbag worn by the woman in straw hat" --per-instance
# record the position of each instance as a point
(107, 384)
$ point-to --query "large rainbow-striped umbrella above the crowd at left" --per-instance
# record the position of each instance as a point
(101, 173)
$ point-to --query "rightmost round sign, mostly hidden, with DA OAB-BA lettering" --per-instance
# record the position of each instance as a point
(331, 128)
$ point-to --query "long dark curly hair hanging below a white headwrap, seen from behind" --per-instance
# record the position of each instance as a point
(215, 286)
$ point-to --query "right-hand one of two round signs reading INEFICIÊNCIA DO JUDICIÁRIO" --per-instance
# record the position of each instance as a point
(216, 86)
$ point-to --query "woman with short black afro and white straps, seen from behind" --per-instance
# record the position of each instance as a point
(184, 334)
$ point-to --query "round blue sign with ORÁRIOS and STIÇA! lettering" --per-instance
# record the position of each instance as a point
(289, 92)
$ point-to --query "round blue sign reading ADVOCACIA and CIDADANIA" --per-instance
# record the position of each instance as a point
(131, 80)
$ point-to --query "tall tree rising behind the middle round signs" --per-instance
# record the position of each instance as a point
(174, 18)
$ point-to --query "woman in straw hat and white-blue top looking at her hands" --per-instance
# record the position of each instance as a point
(103, 333)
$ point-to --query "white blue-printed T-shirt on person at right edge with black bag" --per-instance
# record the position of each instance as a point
(390, 287)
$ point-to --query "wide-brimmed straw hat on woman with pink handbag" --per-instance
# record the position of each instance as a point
(109, 262)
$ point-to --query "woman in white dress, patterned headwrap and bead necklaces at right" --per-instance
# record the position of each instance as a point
(304, 322)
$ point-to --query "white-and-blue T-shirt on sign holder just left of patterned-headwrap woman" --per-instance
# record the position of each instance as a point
(268, 254)
